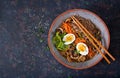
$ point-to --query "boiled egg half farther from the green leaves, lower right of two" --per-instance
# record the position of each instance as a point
(82, 48)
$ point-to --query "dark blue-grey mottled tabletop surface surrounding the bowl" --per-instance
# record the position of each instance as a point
(24, 26)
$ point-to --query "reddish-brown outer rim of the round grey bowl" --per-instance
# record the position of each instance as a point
(52, 25)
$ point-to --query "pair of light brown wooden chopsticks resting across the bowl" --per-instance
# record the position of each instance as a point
(93, 40)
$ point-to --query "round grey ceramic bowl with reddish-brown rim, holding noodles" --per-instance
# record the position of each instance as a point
(88, 15)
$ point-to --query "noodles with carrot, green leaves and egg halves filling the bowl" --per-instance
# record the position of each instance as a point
(72, 44)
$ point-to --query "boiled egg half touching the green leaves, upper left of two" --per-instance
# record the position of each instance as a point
(69, 38)
